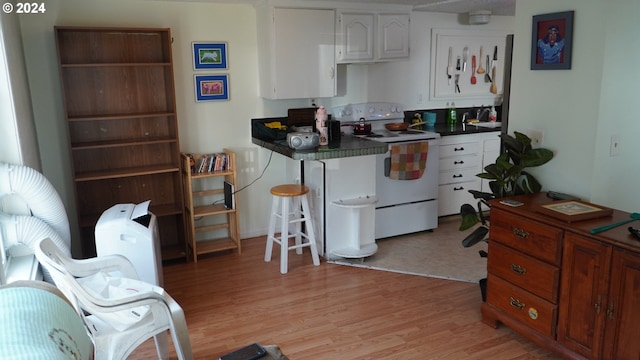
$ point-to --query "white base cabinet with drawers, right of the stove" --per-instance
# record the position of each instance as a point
(462, 157)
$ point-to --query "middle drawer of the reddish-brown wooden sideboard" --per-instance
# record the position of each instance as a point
(524, 271)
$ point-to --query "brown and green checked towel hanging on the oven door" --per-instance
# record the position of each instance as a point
(408, 161)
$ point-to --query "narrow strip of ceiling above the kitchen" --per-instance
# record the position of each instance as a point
(497, 7)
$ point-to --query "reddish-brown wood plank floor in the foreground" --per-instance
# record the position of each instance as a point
(331, 311)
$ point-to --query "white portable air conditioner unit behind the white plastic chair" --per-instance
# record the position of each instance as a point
(130, 230)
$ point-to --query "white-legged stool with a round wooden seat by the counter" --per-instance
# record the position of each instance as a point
(297, 194)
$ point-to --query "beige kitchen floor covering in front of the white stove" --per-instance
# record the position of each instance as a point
(438, 253)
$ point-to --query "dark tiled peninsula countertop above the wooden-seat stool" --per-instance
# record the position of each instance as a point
(349, 146)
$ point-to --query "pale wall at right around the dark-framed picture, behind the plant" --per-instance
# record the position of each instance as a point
(579, 109)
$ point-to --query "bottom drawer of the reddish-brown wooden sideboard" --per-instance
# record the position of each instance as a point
(523, 306)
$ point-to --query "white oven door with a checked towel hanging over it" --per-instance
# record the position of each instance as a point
(395, 192)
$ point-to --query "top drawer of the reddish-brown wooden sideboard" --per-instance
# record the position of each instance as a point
(530, 237)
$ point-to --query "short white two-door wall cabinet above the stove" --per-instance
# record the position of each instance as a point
(367, 37)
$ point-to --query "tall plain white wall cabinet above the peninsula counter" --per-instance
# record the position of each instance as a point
(296, 52)
